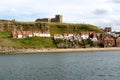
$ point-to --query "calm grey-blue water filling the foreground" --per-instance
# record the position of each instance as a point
(64, 66)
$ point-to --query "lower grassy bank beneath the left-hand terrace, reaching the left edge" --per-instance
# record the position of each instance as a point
(35, 42)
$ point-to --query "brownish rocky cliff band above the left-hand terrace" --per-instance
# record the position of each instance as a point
(13, 25)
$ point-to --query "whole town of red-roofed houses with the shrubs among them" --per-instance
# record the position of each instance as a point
(73, 40)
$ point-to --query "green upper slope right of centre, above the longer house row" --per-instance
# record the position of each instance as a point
(72, 28)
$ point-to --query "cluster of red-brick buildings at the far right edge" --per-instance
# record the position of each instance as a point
(110, 38)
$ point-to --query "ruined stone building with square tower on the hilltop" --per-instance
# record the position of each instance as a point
(58, 18)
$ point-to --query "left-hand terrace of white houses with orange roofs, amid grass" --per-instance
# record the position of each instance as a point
(26, 34)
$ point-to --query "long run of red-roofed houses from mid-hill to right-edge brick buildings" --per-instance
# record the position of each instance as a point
(106, 39)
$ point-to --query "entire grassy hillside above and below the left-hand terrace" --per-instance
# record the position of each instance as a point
(37, 42)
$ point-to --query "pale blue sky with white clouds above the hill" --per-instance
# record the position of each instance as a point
(102, 13)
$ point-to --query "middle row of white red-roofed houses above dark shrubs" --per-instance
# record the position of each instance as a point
(79, 36)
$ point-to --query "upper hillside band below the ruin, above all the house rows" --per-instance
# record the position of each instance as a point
(54, 27)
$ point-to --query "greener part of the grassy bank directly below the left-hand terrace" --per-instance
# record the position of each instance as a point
(35, 42)
